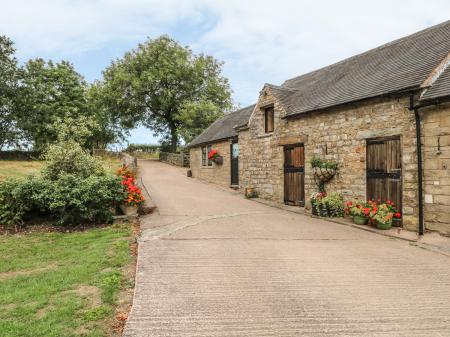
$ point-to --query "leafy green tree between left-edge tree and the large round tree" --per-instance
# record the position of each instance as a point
(49, 92)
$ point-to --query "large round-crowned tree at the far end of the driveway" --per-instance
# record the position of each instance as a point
(163, 86)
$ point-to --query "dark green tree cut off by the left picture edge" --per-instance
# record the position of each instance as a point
(8, 89)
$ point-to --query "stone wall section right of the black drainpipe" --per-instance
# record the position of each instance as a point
(436, 152)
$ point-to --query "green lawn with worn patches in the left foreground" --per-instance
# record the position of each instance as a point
(62, 284)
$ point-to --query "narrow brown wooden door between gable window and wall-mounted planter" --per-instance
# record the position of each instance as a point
(294, 175)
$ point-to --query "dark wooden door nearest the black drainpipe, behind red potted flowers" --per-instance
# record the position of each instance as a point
(384, 170)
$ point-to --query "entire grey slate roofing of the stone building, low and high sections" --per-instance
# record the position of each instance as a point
(399, 66)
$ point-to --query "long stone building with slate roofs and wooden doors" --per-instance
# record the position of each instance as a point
(362, 113)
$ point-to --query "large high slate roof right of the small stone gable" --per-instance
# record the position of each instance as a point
(396, 66)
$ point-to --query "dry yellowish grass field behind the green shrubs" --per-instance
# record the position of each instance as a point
(21, 168)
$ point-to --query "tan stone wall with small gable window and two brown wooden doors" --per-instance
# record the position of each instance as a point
(339, 134)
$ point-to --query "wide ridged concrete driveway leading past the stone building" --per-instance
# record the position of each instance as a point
(214, 264)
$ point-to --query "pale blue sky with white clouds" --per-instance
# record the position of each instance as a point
(259, 41)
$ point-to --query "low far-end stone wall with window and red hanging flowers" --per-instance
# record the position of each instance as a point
(218, 174)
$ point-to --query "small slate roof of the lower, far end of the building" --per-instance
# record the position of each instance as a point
(224, 127)
